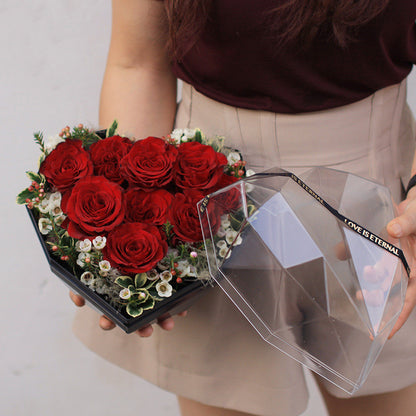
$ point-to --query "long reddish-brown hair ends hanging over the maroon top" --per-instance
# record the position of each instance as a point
(291, 21)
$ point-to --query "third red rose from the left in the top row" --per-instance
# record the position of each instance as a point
(149, 163)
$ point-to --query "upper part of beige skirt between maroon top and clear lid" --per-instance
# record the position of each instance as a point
(373, 137)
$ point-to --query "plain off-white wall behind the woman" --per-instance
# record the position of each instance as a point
(52, 61)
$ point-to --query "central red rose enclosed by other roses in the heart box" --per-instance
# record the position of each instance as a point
(149, 207)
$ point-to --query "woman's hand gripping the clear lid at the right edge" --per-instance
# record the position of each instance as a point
(404, 227)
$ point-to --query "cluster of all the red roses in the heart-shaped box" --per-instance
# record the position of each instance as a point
(126, 191)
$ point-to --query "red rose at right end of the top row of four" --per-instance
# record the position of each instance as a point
(198, 166)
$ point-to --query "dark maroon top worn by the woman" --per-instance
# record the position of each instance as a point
(236, 62)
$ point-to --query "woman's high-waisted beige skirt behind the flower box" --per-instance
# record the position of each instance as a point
(213, 355)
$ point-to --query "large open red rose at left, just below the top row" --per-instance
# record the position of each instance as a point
(94, 206)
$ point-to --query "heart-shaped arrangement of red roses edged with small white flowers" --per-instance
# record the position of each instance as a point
(121, 214)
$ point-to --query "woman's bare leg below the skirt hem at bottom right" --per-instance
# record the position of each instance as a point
(397, 403)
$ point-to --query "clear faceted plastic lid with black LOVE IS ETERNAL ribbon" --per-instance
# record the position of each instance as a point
(309, 263)
